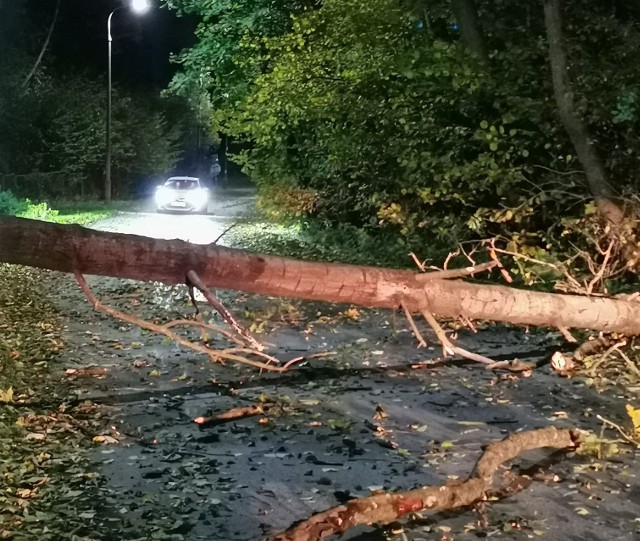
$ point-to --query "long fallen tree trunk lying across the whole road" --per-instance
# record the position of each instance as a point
(71, 248)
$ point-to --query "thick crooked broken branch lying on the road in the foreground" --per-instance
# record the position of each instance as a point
(388, 508)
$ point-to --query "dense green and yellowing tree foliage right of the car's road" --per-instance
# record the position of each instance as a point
(376, 114)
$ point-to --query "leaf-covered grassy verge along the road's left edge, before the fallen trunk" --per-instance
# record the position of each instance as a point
(47, 488)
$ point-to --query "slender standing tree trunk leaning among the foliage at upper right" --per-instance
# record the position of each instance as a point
(577, 130)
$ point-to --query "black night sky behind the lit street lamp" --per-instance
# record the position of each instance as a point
(141, 43)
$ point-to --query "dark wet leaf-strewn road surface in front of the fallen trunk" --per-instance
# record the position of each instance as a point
(317, 445)
